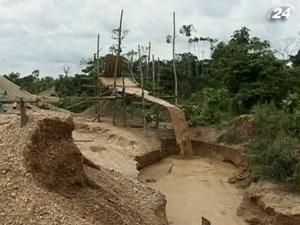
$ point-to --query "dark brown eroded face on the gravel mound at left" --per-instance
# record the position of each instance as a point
(52, 157)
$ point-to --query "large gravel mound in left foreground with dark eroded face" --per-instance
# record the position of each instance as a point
(43, 181)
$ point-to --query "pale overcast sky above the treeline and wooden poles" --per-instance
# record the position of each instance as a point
(46, 34)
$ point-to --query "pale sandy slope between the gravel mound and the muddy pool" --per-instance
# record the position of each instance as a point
(113, 147)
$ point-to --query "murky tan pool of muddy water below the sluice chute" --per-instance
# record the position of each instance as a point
(195, 188)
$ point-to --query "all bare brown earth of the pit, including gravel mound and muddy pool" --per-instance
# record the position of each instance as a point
(60, 169)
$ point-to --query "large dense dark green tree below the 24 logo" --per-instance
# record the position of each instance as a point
(248, 68)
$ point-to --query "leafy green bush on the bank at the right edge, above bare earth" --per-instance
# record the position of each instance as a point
(273, 150)
